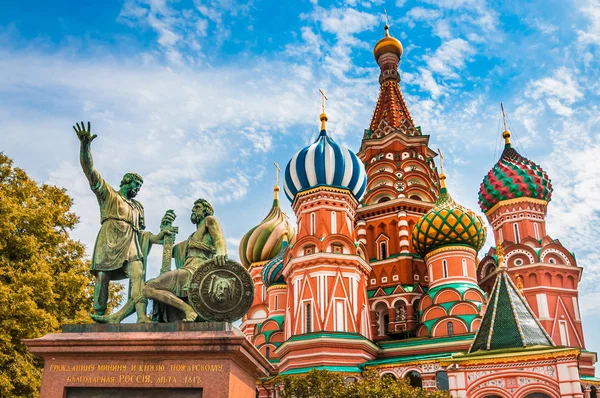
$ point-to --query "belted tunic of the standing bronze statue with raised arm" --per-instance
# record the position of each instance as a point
(118, 242)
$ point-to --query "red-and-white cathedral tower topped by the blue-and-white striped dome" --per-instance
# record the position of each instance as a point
(327, 317)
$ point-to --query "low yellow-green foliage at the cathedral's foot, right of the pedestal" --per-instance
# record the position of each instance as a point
(325, 384)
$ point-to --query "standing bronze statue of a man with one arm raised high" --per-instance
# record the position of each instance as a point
(122, 244)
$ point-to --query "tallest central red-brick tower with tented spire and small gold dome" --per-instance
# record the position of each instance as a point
(402, 186)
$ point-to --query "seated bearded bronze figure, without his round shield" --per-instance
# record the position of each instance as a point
(206, 244)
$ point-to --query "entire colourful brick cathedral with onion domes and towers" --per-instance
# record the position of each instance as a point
(381, 270)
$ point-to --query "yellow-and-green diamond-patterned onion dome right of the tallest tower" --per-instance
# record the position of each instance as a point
(448, 223)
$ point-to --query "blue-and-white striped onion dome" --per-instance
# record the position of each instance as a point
(325, 163)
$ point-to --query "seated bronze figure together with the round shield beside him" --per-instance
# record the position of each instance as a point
(204, 252)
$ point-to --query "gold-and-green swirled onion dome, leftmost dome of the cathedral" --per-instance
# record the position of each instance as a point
(264, 241)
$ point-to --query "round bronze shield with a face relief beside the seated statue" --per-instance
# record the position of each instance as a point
(221, 293)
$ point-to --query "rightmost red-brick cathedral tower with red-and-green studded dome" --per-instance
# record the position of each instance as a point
(514, 196)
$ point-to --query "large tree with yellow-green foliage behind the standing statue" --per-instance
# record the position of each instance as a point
(44, 276)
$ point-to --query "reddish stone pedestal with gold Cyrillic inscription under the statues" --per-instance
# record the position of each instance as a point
(149, 360)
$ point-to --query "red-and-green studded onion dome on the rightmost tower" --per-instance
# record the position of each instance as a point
(514, 176)
